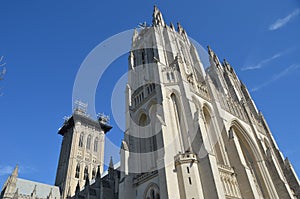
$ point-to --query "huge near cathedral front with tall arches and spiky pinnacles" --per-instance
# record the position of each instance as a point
(194, 133)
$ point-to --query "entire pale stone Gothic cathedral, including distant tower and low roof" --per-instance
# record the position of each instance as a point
(191, 133)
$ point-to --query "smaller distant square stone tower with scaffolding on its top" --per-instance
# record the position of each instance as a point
(82, 151)
